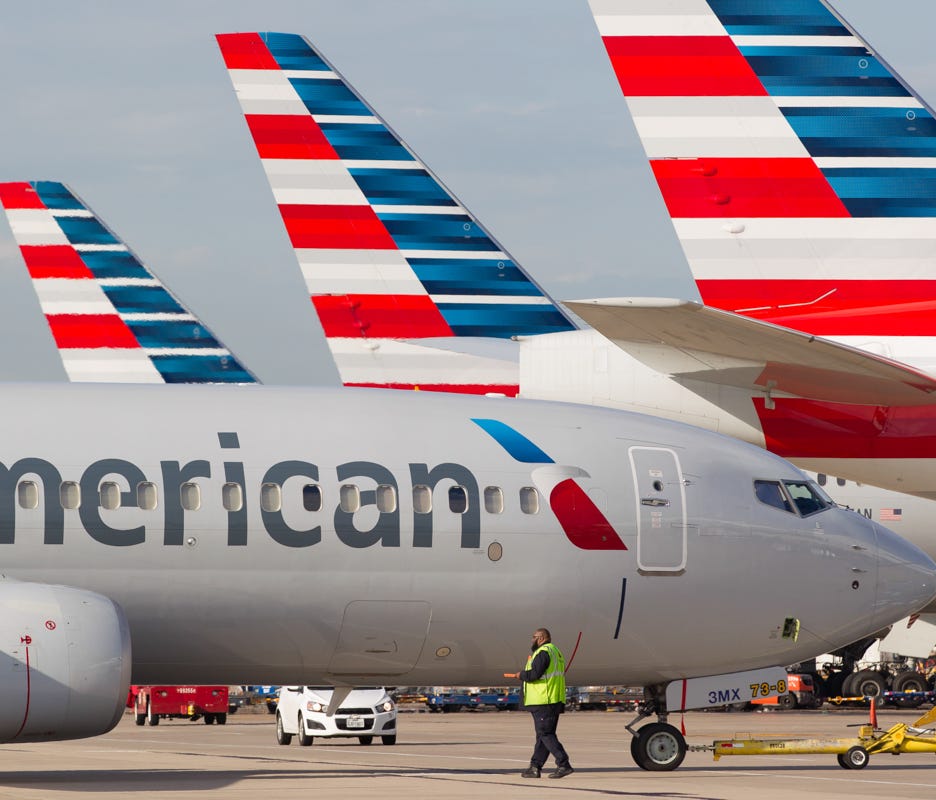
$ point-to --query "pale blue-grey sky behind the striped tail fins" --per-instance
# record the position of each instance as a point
(512, 103)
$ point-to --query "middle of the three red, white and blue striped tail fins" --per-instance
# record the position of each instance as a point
(393, 263)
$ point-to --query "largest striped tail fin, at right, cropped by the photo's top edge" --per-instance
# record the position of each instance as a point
(798, 168)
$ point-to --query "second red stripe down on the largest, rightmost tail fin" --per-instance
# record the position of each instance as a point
(746, 187)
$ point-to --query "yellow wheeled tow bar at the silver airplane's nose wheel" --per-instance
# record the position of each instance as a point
(851, 752)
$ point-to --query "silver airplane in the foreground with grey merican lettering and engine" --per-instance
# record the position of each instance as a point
(348, 536)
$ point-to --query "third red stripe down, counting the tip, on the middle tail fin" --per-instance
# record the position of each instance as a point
(337, 227)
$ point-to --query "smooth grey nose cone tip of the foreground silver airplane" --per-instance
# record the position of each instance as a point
(906, 579)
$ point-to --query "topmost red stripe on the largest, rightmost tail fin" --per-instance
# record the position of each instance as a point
(681, 66)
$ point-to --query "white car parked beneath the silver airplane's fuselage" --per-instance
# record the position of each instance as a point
(364, 713)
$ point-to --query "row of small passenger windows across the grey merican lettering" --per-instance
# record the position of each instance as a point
(271, 497)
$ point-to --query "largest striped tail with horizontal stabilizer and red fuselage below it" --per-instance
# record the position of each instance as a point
(803, 199)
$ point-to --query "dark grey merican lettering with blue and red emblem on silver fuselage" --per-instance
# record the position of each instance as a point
(583, 523)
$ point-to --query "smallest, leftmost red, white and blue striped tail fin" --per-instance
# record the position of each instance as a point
(112, 319)
